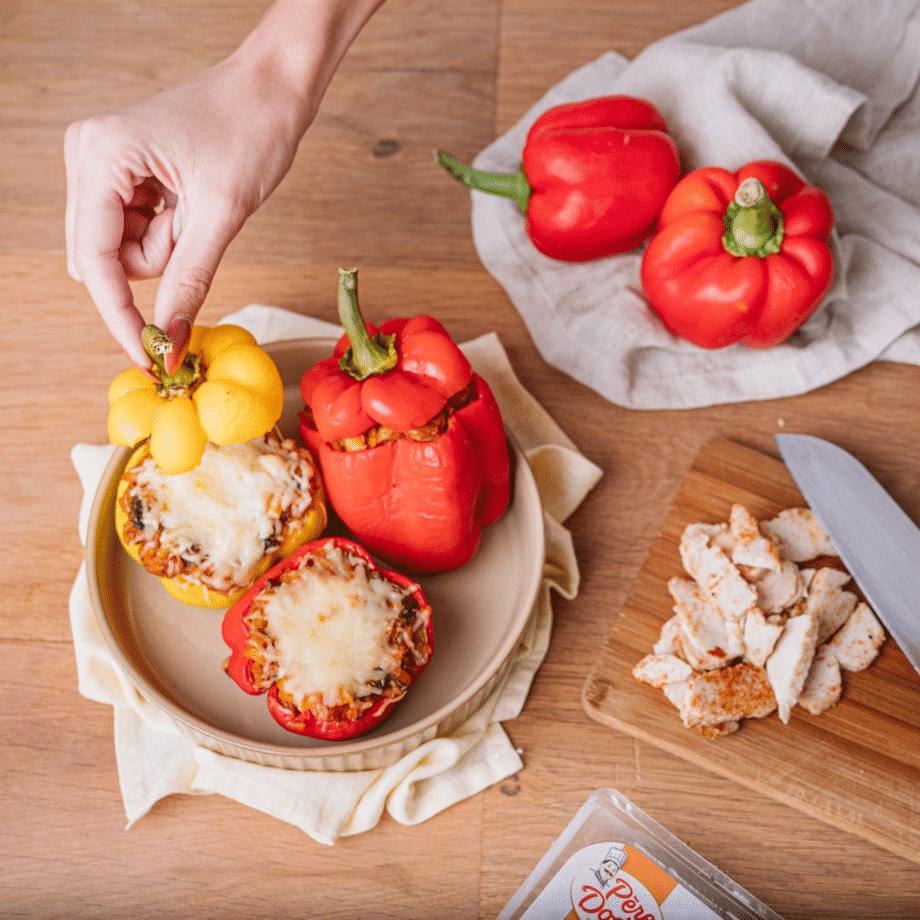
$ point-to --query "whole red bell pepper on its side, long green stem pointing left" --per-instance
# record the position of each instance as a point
(593, 177)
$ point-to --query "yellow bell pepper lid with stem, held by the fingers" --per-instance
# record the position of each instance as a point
(226, 390)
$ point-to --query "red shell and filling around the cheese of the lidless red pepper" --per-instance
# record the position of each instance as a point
(237, 630)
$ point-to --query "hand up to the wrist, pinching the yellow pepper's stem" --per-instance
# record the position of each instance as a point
(161, 188)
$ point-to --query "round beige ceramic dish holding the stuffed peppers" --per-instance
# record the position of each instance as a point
(174, 654)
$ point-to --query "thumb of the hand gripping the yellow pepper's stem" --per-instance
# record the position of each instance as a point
(188, 275)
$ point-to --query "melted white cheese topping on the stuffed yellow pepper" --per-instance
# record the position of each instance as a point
(224, 514)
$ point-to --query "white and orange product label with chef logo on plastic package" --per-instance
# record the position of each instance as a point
(614, 881)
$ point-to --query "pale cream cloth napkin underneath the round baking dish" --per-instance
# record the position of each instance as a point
(154, 761)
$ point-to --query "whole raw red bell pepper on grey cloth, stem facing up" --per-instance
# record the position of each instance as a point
(739, 257)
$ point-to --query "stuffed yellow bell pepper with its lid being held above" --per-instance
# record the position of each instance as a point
(212, 496)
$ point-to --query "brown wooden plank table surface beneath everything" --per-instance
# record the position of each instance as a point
(363, 191)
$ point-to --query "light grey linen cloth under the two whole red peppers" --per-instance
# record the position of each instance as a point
(827, 86)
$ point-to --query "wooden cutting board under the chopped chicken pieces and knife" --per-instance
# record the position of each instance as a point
(856, 766)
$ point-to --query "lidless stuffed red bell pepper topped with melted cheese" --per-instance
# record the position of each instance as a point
(333, 639)
